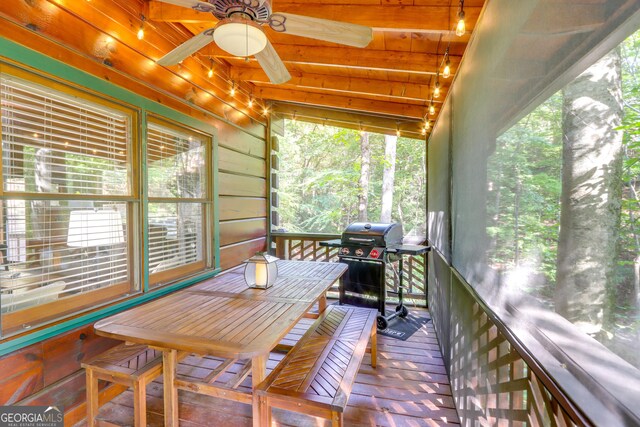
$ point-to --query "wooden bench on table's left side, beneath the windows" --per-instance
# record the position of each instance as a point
(129, 365)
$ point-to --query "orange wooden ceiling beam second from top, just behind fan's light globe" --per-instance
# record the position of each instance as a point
(421, 63)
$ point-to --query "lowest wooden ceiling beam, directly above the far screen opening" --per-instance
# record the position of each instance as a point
(351, 120)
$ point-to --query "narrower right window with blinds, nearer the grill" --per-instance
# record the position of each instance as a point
(178, 192)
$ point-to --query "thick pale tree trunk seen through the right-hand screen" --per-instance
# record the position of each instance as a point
(591, 194)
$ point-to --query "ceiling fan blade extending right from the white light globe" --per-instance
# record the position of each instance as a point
(327, 30)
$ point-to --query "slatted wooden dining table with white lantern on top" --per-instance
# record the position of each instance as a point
(224, 318)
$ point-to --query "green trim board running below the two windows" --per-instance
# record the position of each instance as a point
(25, 340)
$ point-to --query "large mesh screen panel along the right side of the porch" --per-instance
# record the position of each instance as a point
(540, 82)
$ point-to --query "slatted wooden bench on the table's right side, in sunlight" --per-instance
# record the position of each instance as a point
(317, 375)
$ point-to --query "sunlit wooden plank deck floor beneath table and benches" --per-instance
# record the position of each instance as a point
(410, 387)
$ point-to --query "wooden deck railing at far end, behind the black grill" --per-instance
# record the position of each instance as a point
(306, 246)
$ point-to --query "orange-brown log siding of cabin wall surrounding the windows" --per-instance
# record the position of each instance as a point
(48, 372)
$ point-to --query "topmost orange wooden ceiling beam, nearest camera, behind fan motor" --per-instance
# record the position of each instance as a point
(387, 17)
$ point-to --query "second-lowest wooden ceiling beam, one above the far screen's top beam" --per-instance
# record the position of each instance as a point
(394, 109)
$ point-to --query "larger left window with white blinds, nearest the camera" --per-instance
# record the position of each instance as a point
(66, 204)
